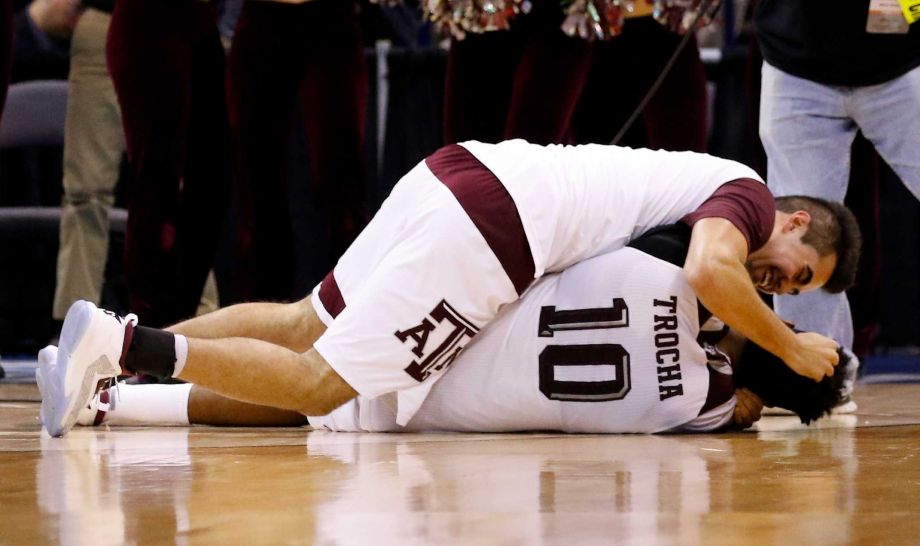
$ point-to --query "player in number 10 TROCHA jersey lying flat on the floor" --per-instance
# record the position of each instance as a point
(609, 345)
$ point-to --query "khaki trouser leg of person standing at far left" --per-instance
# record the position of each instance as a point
(93, 147)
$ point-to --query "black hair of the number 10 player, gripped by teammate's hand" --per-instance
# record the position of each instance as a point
(767, 376)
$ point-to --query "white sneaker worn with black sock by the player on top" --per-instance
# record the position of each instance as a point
(91, 345)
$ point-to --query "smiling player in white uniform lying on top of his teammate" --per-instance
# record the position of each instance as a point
(463, 233)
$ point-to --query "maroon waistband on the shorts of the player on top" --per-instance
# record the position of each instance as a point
(489, 206)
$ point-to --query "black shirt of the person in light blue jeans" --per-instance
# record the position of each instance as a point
(827, 42)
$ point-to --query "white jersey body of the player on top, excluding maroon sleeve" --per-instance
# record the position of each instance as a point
(576, 202)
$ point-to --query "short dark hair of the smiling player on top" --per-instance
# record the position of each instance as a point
(833, 230)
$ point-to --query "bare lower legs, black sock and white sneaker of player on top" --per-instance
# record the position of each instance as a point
(97, 344)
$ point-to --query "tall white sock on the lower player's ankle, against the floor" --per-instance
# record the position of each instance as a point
(162, 405)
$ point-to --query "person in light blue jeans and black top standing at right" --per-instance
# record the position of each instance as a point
(826, 75)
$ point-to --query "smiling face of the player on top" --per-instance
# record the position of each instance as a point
(786, 265)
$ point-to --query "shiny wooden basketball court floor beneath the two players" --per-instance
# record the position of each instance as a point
(853, 480)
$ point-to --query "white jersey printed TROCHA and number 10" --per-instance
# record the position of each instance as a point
(609, 345)
